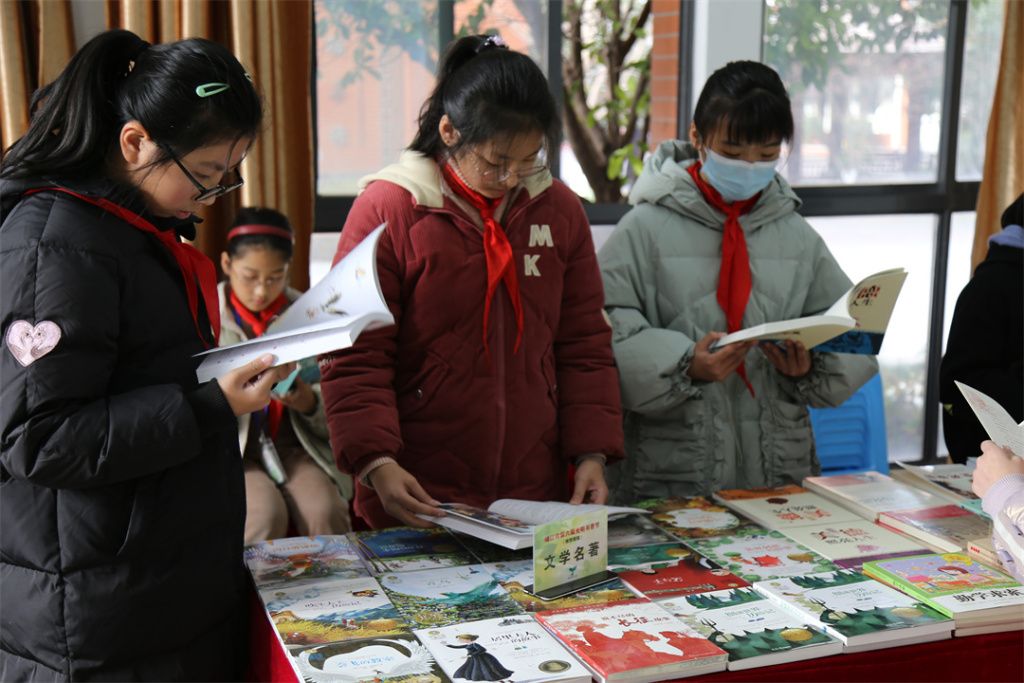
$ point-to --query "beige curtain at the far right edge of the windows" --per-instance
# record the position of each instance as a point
(1003, 177)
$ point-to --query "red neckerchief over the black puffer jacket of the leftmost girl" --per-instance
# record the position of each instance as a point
(194, 265)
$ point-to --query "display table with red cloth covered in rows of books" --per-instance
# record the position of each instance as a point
(785, 582)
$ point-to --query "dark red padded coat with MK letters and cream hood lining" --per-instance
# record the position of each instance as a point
(474, 429)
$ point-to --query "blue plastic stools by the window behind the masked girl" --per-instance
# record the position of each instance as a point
(851, 438)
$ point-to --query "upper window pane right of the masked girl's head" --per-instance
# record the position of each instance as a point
(866, 79)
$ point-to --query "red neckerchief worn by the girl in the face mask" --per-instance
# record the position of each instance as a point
(735, 281)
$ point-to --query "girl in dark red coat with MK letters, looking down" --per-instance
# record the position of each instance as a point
(498, 375)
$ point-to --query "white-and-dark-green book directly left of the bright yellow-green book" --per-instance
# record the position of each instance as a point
(865, 614)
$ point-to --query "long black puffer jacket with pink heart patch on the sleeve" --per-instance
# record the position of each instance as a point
(122, 499)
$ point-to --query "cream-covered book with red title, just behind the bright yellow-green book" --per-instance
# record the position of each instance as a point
(851, 544)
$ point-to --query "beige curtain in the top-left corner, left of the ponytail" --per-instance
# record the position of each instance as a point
(38, 41)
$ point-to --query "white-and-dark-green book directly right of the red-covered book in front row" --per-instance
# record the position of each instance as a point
(755, 631)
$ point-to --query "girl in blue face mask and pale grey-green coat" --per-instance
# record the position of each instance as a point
(714, 244)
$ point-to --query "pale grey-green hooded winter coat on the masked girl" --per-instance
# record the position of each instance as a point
(661, 270)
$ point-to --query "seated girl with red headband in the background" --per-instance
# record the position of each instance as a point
(290, 472)
